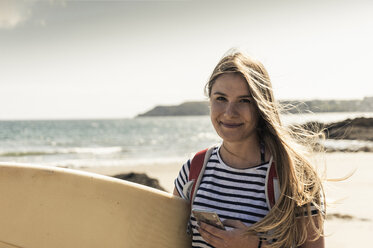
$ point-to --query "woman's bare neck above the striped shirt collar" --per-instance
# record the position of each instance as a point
(241, 155)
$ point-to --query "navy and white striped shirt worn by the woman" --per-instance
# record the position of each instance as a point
(237, 194)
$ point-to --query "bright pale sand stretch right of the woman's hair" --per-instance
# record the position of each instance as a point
(352, 198)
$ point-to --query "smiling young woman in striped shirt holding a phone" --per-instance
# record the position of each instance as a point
(246, 117)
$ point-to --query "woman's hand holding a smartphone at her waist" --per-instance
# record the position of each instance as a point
(235, 238)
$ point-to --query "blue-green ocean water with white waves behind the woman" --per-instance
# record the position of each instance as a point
(120, 142)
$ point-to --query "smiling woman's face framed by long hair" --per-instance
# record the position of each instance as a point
(233, 112)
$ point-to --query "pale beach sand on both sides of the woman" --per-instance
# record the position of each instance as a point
(348, 201)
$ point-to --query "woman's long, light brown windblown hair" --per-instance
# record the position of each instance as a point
(301, 187)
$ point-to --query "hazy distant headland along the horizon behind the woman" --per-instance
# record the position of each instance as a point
(294, 106)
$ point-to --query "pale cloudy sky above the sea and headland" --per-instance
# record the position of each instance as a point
(63, 59)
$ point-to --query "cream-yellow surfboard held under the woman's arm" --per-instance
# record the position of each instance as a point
(49, 207)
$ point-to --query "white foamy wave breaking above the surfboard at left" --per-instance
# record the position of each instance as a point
(63, 151)
